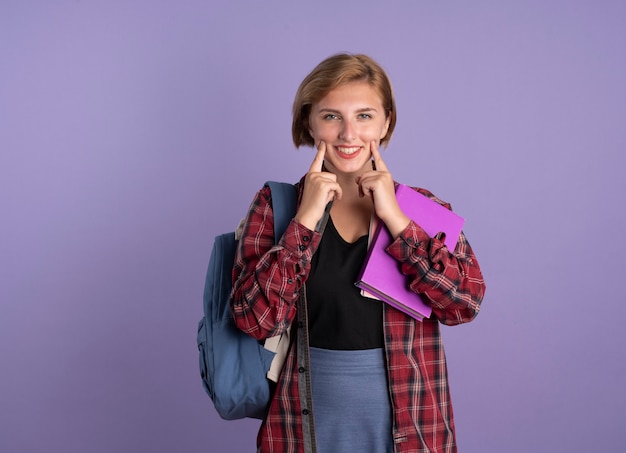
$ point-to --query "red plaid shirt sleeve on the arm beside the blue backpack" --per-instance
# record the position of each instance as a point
(268, 278)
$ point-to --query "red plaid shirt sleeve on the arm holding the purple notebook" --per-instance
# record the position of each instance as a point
(451, 281)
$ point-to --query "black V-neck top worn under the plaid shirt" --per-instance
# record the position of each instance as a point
(339, 317)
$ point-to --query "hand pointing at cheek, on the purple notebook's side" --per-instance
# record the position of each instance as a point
(378, 184)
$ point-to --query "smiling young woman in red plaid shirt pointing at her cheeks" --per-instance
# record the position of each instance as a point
(359, 375)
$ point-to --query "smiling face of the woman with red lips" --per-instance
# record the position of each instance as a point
(347, 119)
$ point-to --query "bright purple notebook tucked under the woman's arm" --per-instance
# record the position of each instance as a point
(381, 277)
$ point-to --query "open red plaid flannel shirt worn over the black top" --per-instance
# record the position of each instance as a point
(268, 283)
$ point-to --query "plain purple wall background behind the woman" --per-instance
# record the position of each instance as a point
(132, 132)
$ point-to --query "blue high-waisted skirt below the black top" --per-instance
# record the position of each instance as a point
(351, 406)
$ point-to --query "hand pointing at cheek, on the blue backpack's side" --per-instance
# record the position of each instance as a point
(320, 188)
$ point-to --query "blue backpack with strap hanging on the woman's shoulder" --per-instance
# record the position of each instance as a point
(234, 365)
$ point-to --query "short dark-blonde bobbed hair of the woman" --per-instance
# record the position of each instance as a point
(328, 75)
